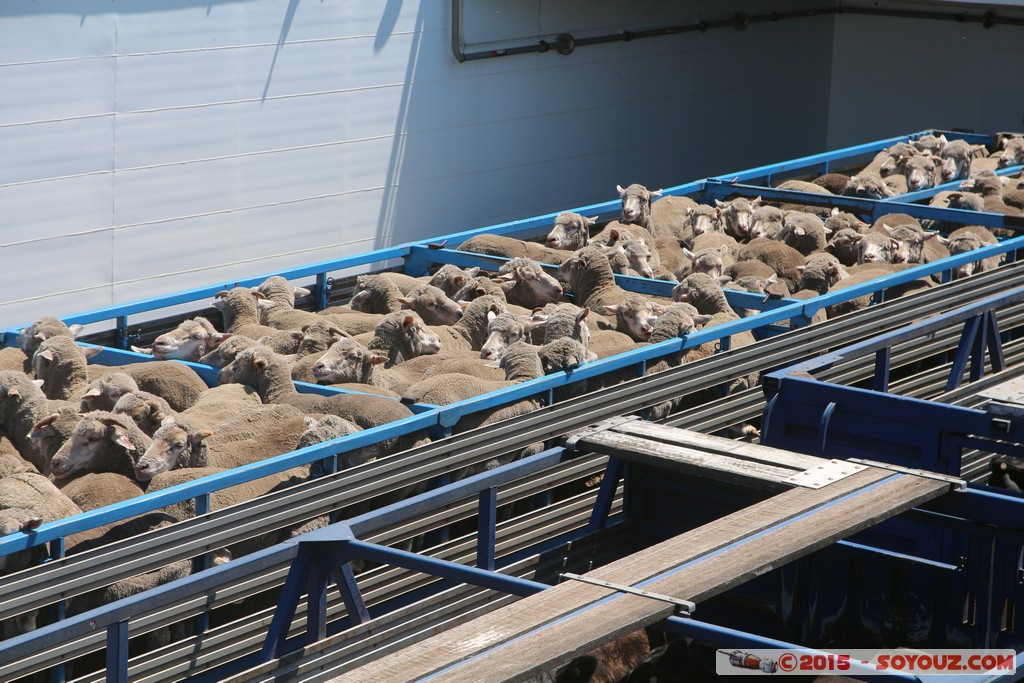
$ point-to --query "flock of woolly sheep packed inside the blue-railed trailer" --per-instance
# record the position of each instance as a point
(78, 437)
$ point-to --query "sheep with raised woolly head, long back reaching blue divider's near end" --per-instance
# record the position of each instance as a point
(268, 372)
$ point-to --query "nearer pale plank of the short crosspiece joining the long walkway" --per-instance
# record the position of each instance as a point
(681, 459)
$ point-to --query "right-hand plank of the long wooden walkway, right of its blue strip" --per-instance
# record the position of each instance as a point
(547, 649)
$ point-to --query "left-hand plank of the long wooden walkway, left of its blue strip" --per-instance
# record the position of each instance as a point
(467, 641)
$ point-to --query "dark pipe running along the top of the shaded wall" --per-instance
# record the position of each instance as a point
(566, 44)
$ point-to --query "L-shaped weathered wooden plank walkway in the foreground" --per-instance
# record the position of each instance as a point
(543, 631)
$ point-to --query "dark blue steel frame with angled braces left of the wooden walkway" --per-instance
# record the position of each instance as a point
(321, 557)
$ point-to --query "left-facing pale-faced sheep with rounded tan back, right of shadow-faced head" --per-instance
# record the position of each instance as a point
(264, 434)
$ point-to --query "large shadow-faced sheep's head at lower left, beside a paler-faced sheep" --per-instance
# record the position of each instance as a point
(101, 443)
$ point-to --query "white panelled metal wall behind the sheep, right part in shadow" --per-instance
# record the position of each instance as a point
(150, 147)
